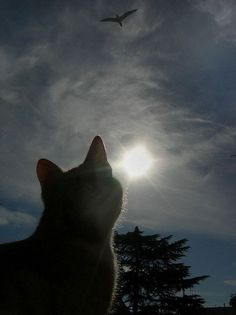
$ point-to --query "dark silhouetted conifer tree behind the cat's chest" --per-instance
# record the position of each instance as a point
(152, 280)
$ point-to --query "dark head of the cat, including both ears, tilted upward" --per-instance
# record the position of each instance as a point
(85, 200)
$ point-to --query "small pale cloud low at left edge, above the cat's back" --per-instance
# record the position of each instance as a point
(17, 218)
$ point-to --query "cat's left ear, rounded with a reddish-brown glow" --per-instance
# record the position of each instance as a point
(46, 169)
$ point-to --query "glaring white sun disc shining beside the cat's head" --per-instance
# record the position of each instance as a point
(136, 162)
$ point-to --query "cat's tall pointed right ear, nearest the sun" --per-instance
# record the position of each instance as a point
(97, 152)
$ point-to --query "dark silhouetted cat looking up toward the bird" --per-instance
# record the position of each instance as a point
(67, 266)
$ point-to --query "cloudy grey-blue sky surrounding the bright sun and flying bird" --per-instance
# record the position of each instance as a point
(166, 79)
